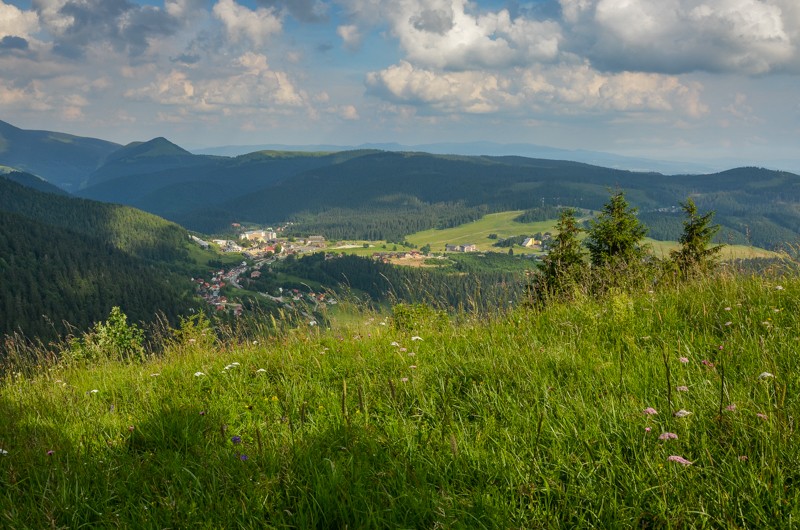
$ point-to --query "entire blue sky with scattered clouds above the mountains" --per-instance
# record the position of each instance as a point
(668, 79)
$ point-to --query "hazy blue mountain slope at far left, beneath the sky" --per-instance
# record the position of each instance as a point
(63, 159)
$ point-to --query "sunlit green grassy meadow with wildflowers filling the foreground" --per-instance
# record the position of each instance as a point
(547, 419)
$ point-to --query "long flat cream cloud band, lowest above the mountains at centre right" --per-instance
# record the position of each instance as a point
(551, 90)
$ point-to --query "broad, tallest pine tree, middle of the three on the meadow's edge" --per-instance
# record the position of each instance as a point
(615, 237)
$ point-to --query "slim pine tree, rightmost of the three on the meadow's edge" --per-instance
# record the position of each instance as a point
(695, 254)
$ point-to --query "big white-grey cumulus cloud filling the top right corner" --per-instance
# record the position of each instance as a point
(678, 36)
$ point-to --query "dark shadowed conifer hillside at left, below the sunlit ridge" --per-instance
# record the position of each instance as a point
(56, 280)
